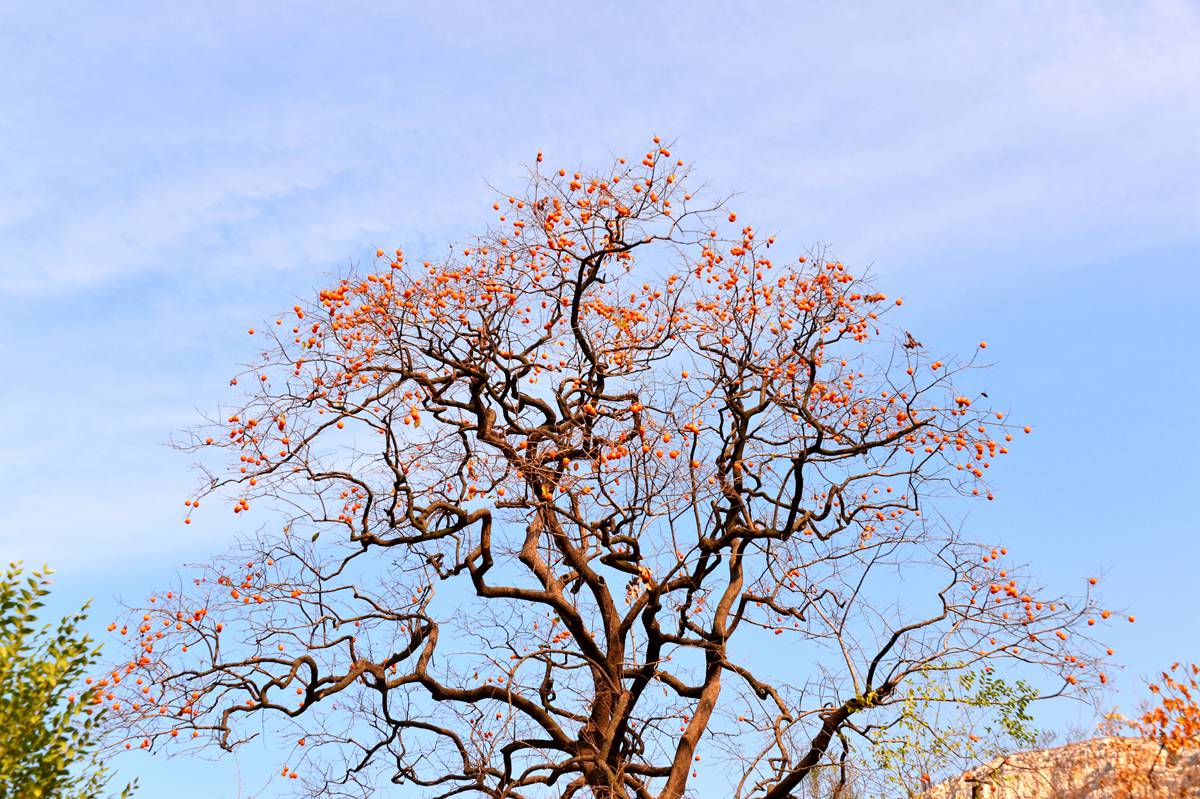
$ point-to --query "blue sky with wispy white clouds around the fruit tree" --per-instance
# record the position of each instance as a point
(1024, 173)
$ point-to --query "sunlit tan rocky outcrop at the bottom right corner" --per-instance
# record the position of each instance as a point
(1105, 768)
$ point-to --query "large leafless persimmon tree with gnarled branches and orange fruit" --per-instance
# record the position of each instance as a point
(609, 490)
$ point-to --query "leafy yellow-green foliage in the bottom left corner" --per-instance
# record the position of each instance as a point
(49, 736)
